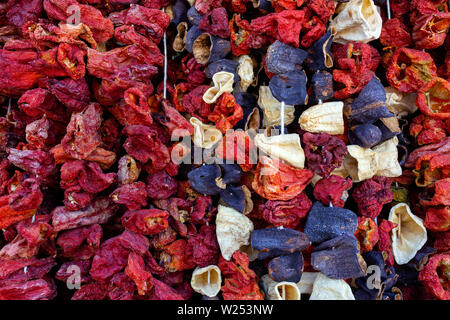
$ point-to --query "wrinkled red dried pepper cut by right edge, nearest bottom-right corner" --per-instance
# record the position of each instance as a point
(432, 280)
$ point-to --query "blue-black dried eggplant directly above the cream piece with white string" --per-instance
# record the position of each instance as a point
(290, 87)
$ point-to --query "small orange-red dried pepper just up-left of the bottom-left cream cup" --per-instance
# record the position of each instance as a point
(174, 257)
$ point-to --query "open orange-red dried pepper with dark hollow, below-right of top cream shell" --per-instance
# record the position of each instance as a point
(410, 69)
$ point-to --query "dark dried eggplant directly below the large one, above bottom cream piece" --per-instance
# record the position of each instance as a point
(339, 258)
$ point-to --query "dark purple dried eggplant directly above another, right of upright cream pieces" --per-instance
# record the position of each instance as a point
(283, 58)
